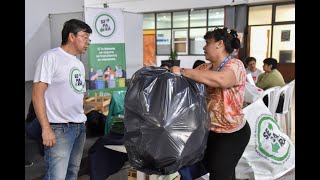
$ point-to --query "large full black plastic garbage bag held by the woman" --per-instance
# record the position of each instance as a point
(166, 121)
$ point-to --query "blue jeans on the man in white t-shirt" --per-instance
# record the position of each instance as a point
(63, 160)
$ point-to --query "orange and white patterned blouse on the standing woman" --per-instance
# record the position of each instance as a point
(225, 105)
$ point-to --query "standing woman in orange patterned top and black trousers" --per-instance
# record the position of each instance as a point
(225, 79)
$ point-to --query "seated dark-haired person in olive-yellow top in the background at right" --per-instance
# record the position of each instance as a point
(271, 76)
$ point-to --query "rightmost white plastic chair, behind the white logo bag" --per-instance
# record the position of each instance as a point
(287, 90)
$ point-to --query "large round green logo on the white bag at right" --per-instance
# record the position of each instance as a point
(269, 143)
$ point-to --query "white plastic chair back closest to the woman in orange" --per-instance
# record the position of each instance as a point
(273, 98)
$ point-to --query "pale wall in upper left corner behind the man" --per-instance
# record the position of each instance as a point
(37, 30)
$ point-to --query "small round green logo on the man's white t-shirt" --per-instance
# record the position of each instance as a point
(77, 81)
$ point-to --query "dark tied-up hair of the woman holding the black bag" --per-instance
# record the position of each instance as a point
(229, 38)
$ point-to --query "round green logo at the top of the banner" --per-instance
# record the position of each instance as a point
(105, 25)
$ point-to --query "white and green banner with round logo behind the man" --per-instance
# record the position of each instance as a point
(106, 53)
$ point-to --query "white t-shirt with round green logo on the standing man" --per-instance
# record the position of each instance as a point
(65, 75)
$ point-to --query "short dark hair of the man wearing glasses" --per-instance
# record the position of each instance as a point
(73, 26)
